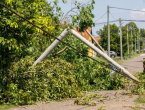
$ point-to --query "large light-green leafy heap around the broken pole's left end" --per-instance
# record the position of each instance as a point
(52, 79)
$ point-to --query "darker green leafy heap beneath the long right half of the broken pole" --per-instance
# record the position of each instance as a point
(93, 76)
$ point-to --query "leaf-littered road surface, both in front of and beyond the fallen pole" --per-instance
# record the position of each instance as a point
(116, 100)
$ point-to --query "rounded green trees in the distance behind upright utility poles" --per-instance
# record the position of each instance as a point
(115, 37)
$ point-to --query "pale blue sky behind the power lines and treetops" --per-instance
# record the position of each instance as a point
(100, 8)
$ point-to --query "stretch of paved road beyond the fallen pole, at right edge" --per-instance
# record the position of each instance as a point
(135, 65)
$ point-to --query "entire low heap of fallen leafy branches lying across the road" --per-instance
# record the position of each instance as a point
(53, 79)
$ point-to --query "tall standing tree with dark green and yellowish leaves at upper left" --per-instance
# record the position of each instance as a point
(17, 36)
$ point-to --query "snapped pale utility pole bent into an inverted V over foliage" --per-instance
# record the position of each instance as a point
(97, 50)
